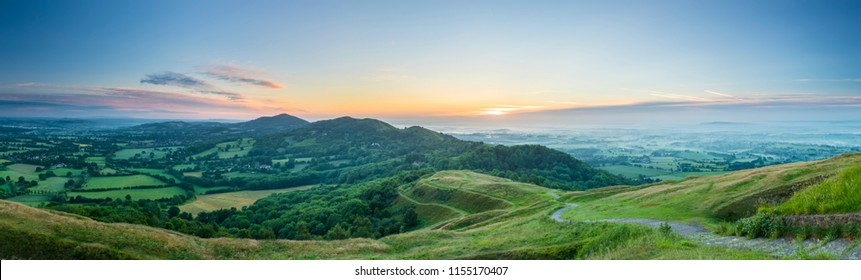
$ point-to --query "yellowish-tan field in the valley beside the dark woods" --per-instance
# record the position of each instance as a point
(211, 202)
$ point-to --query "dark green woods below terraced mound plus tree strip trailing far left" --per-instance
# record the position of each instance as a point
(326, 212)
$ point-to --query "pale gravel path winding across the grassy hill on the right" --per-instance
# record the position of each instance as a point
(778, 247)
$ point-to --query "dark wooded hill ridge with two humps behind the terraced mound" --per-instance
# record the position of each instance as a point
(347, 150)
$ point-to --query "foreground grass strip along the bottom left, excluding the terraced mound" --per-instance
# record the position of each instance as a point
(527, 234)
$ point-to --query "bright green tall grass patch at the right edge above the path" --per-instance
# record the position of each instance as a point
(836, 195)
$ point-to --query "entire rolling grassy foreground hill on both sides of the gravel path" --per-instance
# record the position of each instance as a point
(463, 215)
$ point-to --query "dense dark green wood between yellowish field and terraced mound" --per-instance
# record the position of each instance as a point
(327, 212)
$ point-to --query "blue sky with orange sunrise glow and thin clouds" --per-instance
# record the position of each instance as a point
(419, 61)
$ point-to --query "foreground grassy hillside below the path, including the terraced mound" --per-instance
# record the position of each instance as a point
(512, 223)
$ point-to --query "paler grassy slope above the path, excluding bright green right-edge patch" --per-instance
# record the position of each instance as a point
(708, 199)
